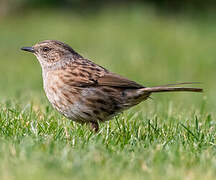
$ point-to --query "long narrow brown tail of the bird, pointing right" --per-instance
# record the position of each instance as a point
(170, 89)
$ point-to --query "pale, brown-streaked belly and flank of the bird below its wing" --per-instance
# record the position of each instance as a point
(92, 103)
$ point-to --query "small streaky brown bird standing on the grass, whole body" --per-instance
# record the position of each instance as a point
(84, 91)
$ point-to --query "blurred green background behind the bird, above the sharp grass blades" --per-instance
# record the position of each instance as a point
(141, 41)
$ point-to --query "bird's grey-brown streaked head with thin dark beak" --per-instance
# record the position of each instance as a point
(52, 53)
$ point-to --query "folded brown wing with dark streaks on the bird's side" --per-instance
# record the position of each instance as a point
(85, 74)
